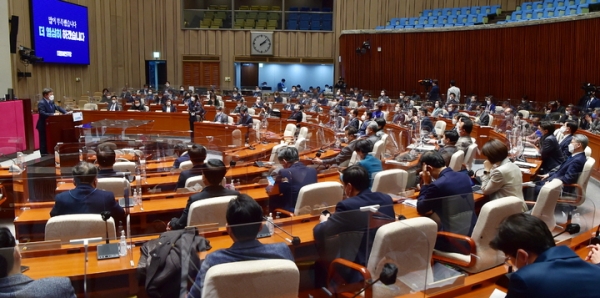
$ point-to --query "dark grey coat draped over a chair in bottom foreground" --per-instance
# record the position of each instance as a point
(168, 262)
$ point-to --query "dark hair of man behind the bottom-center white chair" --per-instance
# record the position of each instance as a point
(244, 216)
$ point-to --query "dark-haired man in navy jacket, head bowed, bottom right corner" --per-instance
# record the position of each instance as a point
(544, 269)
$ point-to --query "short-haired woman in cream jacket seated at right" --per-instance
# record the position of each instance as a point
(501, 178)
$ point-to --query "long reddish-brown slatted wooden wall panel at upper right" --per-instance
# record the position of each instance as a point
(545, 61)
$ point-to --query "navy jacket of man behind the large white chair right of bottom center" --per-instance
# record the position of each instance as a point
(348, 218)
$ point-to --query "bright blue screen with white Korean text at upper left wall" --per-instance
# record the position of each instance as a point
(60, 32)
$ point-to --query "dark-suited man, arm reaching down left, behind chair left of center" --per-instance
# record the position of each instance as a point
(212, 176)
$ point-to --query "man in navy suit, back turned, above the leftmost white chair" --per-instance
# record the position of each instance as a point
(86, 198)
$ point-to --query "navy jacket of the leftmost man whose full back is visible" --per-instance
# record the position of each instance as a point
(86, 199)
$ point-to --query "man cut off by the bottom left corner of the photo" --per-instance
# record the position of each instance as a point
(15, 284)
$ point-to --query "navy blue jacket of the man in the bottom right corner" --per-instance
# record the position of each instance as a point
(557, 272)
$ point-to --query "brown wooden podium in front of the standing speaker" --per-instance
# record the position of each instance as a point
(60, 128)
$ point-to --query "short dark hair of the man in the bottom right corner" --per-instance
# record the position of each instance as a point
(522, 231)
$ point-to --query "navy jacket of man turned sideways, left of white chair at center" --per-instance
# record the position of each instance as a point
(291, 180)
